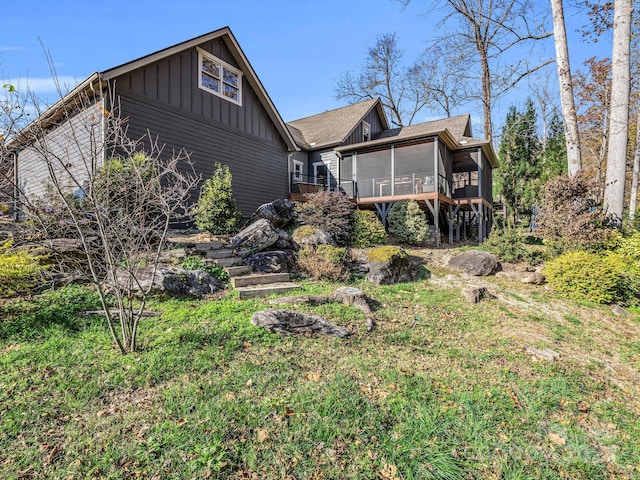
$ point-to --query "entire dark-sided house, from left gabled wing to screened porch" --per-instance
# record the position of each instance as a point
(203, 96)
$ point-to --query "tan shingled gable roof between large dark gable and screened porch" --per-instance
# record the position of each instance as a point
(333, 127)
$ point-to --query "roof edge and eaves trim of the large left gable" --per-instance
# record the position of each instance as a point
(95, 81)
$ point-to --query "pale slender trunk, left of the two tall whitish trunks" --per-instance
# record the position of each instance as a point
(574, 160)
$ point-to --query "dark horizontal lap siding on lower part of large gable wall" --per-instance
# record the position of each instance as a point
(258, 167)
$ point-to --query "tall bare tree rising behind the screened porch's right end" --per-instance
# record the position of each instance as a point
(486, 32)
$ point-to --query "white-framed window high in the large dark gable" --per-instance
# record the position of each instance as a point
(219, 78)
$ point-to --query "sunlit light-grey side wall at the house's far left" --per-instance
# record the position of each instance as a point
(73, 149)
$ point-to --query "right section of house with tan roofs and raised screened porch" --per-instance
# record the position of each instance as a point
(439, 164)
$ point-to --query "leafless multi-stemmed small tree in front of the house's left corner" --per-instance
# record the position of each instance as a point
(113, 196)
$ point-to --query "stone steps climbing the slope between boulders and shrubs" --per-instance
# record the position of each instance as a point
(242, 278)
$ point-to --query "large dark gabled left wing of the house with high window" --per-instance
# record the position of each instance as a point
(201, 95)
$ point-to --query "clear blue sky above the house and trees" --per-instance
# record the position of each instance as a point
(297, 47)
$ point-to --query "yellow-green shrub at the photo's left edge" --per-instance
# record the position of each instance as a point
(19, 270)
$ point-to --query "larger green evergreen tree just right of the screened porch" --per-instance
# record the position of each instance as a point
(520, 169)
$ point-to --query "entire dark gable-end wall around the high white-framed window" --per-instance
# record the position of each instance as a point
(164, 99)
